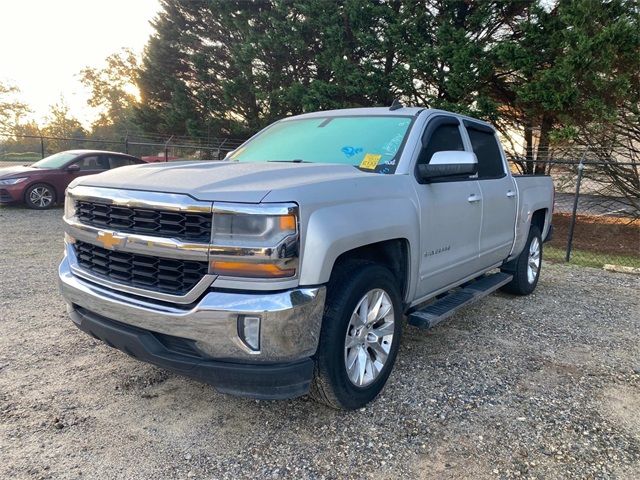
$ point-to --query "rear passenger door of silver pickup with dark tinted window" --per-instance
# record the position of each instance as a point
(499, 195)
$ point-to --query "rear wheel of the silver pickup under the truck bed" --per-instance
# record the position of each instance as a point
(525, 276)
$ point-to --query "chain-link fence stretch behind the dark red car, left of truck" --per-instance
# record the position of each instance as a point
(149, 147)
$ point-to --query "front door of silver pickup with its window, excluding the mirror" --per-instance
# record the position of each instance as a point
(450, 213)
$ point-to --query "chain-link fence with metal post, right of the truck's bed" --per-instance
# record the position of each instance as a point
(596, 220)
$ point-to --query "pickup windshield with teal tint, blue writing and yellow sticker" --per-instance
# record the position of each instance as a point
(371, 143)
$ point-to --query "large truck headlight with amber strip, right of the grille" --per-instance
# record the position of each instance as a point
(256, 241)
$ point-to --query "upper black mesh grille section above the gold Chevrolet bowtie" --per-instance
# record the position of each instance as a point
(192, 226)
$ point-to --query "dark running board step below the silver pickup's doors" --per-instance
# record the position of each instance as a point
(441, 309)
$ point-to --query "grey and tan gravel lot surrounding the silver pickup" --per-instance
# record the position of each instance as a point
(546, 386)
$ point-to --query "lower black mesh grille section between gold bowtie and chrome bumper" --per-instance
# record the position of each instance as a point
(166, 275)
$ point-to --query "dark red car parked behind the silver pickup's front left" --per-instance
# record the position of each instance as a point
(42, 184)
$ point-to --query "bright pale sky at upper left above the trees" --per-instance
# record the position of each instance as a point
(45, 43)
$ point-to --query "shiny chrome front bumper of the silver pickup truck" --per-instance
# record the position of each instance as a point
(290, 320)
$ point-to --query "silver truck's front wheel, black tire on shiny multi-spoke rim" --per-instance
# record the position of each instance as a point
(333, 384)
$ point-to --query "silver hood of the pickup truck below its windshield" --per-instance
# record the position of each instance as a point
(220, 181)
